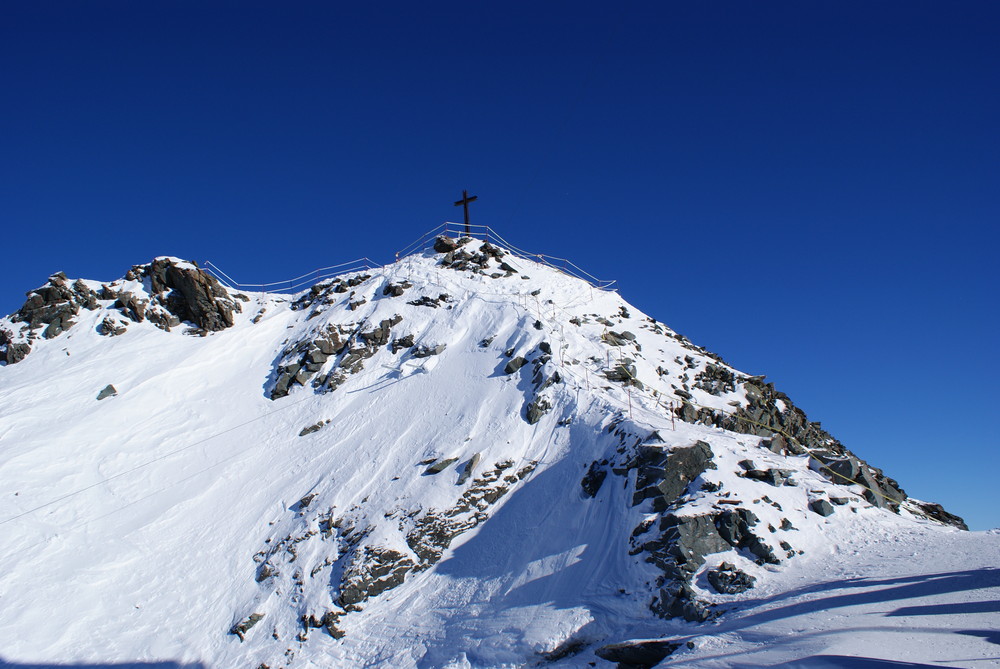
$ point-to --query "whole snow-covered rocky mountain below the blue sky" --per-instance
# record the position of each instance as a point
(466, 458)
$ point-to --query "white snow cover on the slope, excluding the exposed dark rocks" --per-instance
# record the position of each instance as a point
(166, 492)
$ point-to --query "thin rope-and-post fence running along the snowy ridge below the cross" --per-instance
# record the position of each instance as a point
(419, 245)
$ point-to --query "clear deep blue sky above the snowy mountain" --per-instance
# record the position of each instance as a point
(809, 189)
